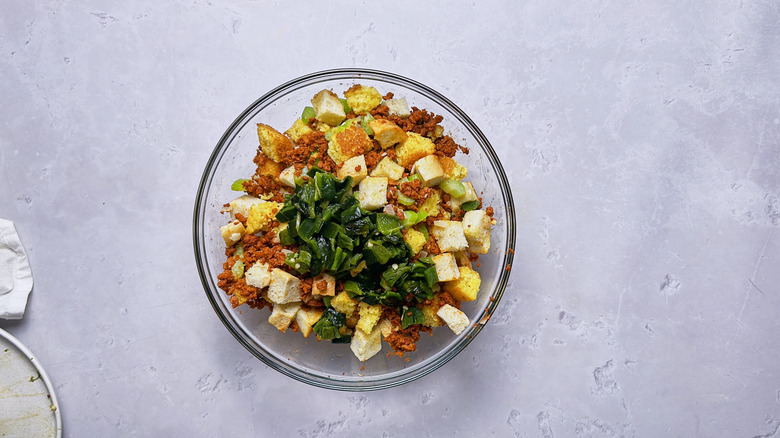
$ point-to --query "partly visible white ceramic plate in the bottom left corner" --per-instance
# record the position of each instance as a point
(28, 406)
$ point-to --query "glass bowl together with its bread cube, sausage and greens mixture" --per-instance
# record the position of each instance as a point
(354, 229)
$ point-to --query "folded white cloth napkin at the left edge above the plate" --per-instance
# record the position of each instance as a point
(15, 274)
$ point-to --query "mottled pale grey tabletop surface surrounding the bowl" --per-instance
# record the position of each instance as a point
(641, 138)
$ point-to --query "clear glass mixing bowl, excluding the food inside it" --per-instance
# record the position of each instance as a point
(322, 363)
